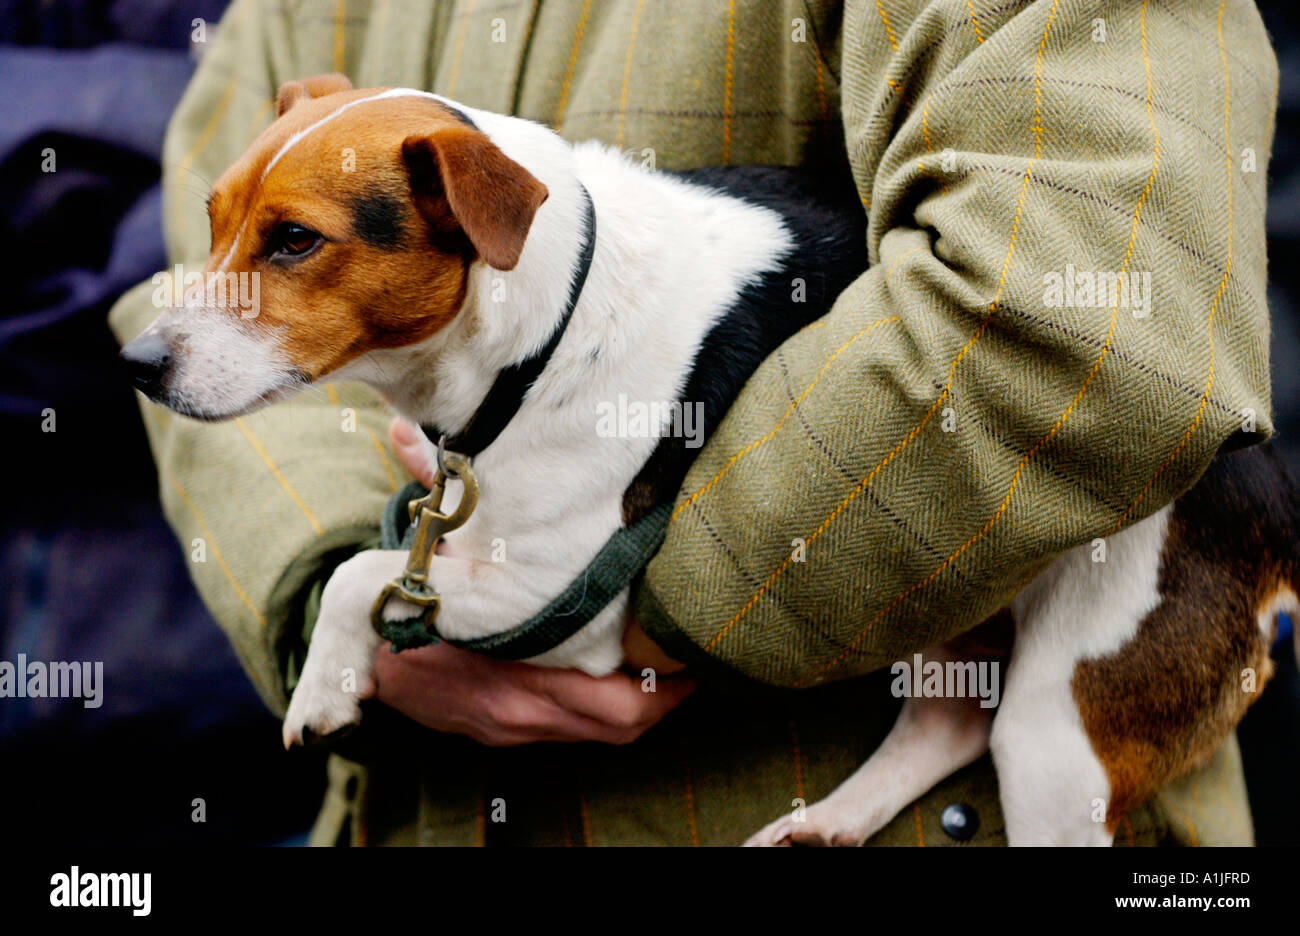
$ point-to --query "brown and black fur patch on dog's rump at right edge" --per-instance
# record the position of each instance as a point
(1164, 704)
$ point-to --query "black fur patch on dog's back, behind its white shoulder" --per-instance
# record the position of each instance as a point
(829, 228)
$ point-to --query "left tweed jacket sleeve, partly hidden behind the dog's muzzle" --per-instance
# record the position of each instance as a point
(266, 505)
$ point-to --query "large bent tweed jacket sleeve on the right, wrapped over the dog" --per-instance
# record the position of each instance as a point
(1063, 322)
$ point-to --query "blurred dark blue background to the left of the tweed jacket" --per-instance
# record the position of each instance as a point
(89, 569)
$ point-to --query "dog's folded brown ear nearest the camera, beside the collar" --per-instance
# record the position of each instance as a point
(461, 180)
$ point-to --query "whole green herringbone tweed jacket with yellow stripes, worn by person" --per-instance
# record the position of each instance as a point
(892, 475)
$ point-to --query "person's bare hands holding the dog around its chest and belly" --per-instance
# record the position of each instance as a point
(501, 703)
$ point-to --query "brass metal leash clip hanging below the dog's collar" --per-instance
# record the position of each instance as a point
(431, 526)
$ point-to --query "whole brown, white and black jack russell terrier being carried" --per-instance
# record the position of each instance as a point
(463, 255)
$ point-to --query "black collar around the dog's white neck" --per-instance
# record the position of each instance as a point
(513, 384)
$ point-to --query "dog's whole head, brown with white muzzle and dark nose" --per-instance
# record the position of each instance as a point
(349, 227)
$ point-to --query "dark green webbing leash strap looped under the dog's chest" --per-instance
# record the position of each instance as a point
(613, 570)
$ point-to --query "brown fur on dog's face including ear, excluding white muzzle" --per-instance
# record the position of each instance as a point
(363, 229)
